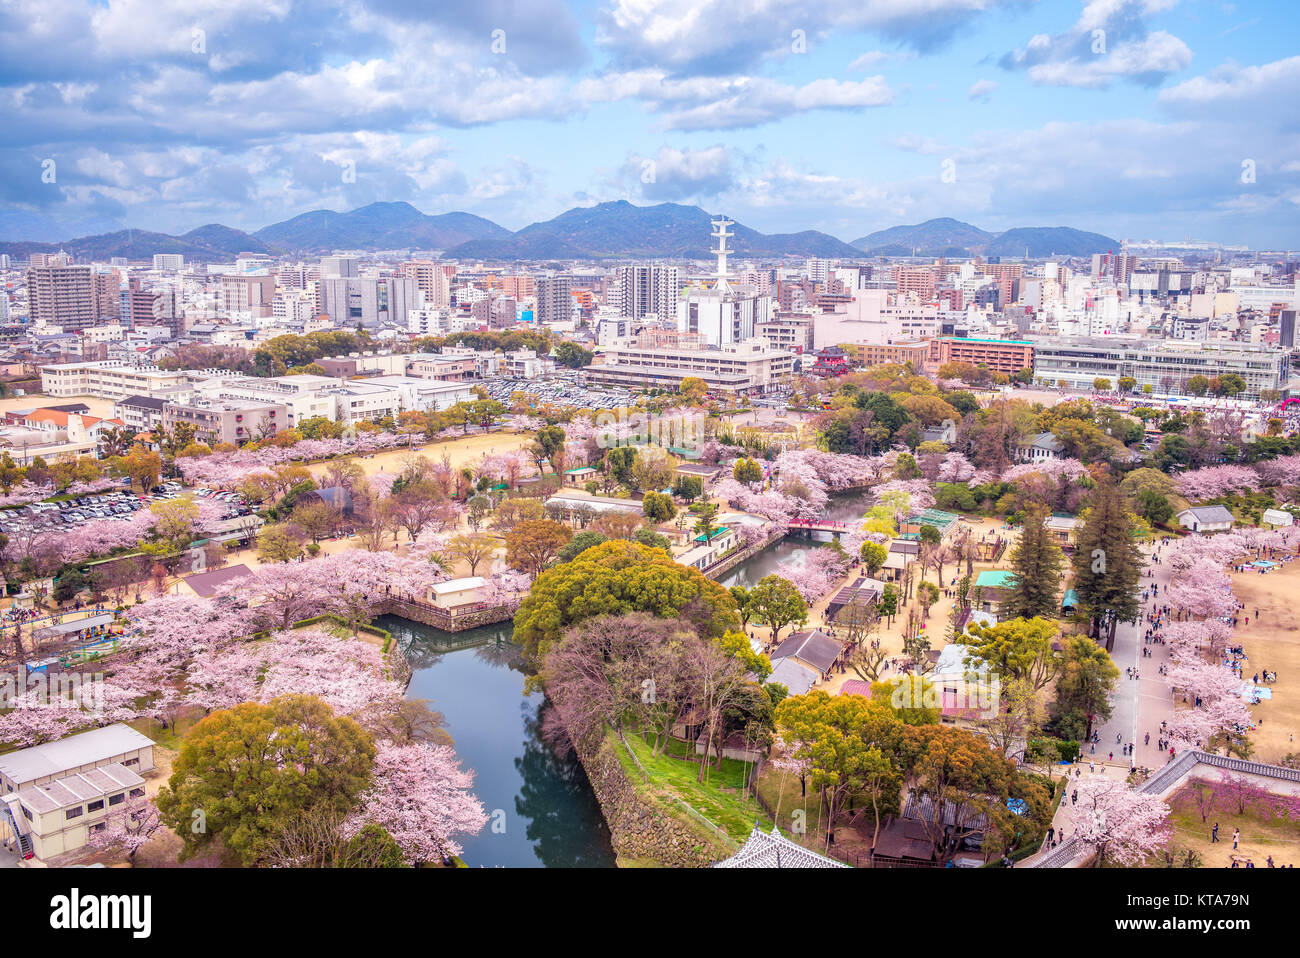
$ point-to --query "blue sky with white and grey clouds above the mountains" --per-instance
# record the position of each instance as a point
(1139, 119)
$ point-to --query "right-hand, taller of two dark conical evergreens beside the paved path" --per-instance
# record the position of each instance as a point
(1107, 565)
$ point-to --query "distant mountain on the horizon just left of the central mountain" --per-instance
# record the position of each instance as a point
(378, 227)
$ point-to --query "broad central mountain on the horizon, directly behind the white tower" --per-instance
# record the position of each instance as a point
(622, 231)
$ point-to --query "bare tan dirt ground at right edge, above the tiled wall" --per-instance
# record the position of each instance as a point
(1272, 641)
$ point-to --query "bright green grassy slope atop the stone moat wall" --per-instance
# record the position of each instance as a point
(720, 799)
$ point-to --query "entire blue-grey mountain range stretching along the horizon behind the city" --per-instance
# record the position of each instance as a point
(608, 231)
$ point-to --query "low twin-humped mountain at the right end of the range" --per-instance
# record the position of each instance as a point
(947, 237)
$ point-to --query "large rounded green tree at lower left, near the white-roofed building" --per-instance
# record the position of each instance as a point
(244, 773)
